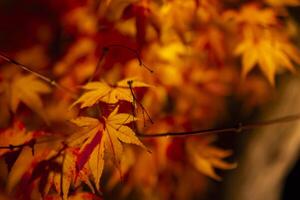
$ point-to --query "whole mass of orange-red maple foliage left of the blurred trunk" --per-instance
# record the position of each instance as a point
(100, 75)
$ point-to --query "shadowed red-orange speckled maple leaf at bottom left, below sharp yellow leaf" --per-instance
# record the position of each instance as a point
(54, 168)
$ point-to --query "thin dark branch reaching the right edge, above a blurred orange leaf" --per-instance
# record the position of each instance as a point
(237, 129)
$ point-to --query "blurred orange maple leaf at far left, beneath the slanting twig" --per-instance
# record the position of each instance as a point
(27, 89)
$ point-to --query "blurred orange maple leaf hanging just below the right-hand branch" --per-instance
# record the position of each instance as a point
(204, 157)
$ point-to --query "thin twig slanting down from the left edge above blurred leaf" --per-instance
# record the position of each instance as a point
(40, 76)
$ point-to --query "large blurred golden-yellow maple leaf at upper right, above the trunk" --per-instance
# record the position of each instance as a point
(270, 52)
